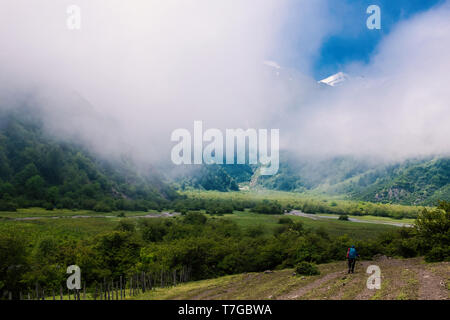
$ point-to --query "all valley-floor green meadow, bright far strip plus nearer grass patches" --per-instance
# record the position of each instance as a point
(36, 222)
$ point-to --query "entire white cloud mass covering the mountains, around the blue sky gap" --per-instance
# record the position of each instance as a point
(137, 70)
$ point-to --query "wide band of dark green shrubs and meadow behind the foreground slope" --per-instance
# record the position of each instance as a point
(107, 248)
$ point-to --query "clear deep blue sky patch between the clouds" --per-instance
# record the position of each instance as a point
(353, 41)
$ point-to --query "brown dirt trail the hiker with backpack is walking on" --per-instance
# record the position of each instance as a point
(401, 279)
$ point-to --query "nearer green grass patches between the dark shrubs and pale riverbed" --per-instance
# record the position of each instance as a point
(81, 224)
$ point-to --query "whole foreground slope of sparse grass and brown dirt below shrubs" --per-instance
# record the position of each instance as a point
(401, 279)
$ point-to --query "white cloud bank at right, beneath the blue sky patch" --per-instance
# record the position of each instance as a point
(401, 108)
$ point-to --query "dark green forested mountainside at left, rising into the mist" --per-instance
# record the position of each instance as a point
(37, 170)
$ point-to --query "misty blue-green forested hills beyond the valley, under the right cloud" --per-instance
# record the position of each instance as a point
(413, 182)
